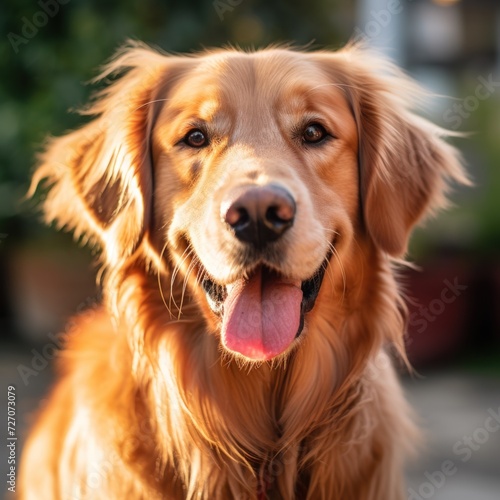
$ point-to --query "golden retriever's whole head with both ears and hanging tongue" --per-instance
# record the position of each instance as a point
(247, 173)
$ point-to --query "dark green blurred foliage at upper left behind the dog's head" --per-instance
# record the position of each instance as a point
(44, 68)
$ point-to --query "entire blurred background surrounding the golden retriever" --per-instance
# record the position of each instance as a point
(51, 48)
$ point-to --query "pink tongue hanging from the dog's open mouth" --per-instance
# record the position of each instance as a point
(261, 316)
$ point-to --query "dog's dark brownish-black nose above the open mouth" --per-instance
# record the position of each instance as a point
(259, 214)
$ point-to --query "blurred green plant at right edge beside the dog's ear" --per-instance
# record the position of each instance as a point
(472, 224)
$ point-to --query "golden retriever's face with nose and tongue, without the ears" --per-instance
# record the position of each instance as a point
(262, 151)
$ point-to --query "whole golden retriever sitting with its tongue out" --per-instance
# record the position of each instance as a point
(250, 209)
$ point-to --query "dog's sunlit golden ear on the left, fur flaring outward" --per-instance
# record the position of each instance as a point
(100, 176)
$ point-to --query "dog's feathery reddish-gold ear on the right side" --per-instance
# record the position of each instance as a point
(405, 165)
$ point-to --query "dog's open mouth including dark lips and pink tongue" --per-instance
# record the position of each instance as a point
(263, 314)
